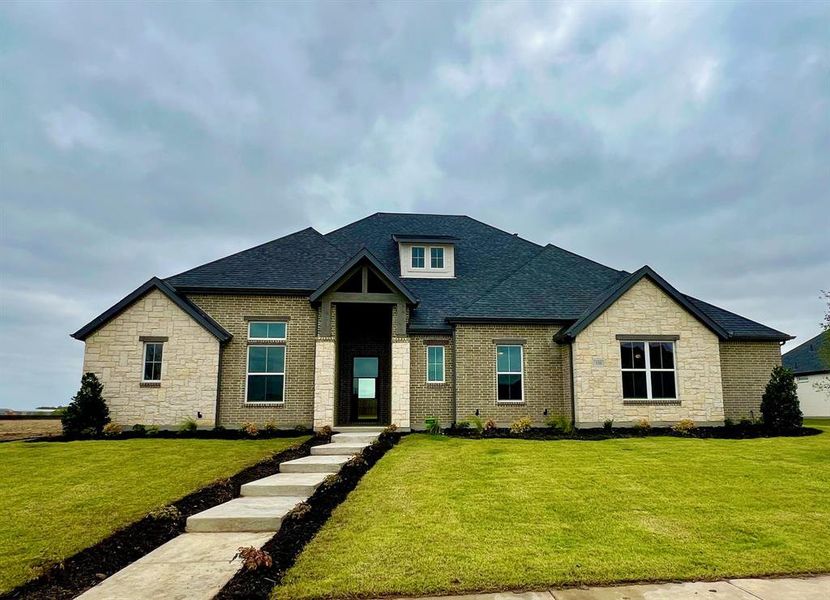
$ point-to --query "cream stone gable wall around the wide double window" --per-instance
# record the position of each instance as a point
(646, 310)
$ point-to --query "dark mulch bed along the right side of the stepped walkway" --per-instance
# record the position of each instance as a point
(303, 524)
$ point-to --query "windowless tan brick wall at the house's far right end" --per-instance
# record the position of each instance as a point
(746, 368)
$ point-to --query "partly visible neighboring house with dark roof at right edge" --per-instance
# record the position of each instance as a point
(809, 369)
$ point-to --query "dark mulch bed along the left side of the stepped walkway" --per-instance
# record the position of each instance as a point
(89, 566)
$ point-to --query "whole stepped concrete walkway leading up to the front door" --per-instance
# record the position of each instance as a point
(198, 563)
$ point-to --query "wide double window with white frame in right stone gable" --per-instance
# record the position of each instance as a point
(648, 370)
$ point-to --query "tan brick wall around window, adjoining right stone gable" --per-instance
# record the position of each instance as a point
(544, 372)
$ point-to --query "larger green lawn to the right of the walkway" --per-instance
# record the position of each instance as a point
(439, 515)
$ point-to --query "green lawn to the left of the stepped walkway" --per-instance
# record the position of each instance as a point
(58, 498)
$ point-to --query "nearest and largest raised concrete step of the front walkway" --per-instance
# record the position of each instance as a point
(244, 514)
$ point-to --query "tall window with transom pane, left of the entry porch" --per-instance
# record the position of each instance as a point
(266, 362)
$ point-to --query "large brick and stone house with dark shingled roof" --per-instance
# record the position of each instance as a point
(397, 318)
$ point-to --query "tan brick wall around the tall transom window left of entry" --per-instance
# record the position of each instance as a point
(230, 311)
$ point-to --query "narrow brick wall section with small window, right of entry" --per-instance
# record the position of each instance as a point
(430, 399)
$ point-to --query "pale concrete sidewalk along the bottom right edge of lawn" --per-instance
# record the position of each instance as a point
(807, 588)
